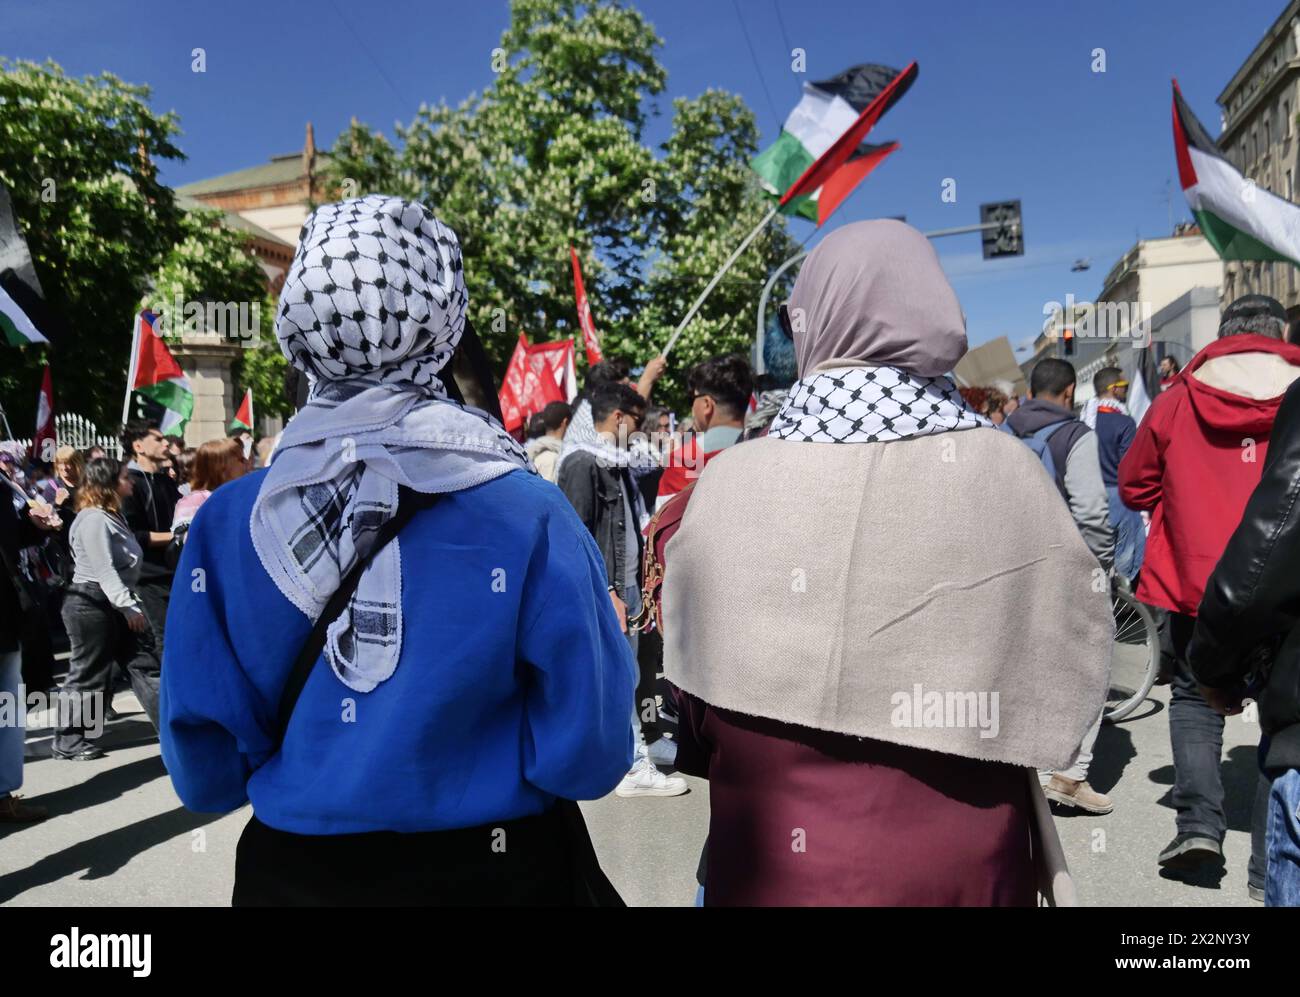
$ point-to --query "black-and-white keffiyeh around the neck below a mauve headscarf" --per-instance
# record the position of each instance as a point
(872, 405)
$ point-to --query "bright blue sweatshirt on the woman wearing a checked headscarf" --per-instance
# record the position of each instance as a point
(502, 701)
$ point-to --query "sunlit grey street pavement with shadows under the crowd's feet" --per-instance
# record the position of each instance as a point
(119, 835)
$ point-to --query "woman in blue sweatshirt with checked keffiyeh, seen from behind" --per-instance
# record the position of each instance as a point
(476, 677)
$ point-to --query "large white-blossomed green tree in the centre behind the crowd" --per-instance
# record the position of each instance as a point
(552, 155)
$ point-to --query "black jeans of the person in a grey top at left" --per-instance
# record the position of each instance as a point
(99, 638)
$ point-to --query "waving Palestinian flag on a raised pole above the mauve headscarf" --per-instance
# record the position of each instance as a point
(820, 157)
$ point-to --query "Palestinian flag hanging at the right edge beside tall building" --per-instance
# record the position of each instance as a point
(1241, 220)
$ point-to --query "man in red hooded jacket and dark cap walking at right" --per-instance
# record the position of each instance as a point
(1194, 463)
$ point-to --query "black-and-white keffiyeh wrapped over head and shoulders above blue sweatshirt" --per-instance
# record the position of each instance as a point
(372, 310)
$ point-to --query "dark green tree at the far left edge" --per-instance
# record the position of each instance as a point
(79, 161)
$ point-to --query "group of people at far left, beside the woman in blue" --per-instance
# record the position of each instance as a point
(89, 548)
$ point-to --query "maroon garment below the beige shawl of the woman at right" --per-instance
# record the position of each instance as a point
(803, 817)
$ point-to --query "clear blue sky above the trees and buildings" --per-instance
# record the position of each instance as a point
(1007, 102)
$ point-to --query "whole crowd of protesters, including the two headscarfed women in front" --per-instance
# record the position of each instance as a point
(783, 639)
